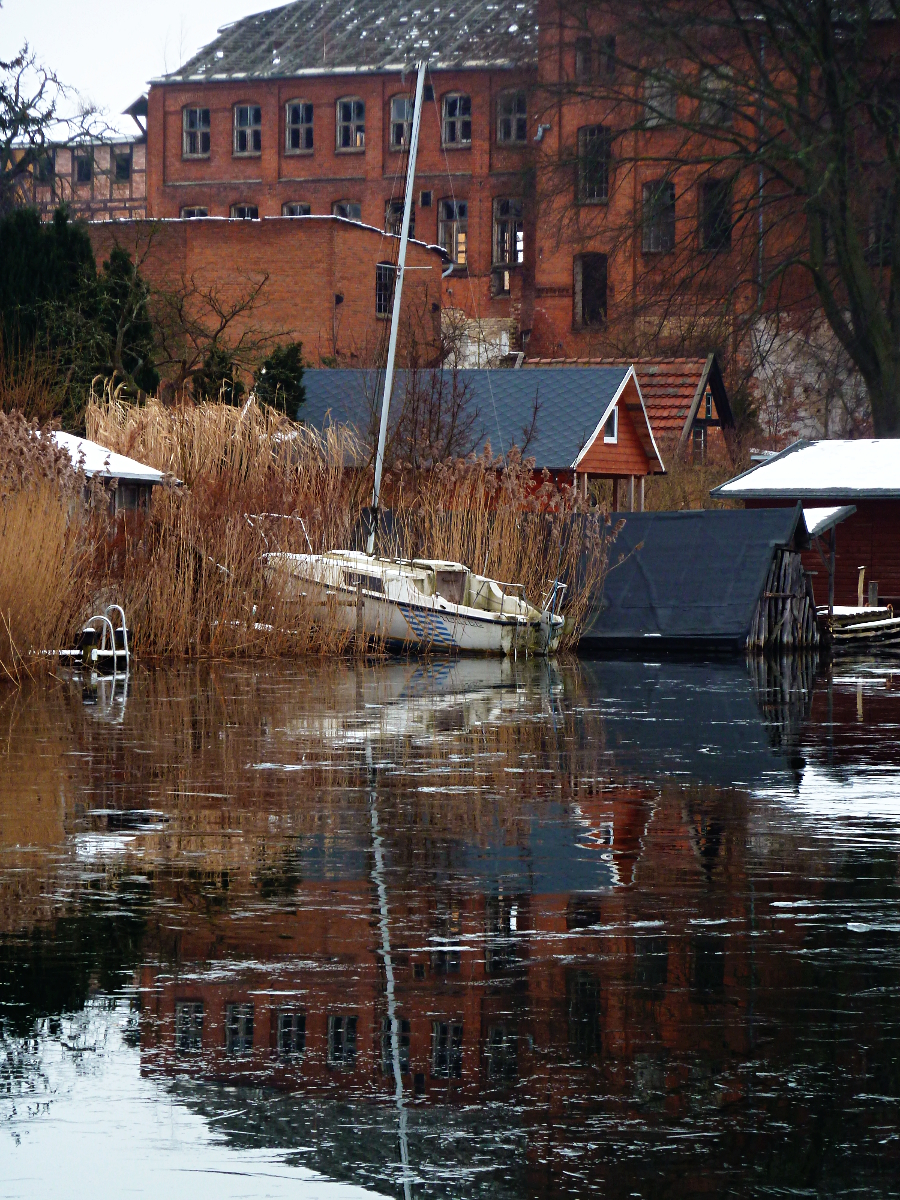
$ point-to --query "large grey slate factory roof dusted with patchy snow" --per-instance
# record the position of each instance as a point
(345, 37)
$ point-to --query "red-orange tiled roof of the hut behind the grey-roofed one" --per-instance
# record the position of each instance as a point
(673, 391)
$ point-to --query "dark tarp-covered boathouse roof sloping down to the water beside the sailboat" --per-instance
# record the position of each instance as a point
(689, 581)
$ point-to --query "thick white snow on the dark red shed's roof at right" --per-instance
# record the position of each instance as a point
(829, 471)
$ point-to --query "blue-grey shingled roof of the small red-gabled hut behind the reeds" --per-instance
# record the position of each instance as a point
(571, 405)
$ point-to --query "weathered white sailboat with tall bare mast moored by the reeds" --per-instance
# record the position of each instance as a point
(424, 604)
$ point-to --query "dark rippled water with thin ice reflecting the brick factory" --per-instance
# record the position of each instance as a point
(464, 931)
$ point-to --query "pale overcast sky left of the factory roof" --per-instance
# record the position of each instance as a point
(109, 50)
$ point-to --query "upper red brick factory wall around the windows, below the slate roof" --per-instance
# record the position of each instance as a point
(477, 175)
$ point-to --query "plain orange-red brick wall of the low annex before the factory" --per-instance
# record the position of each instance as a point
(308, 261)
